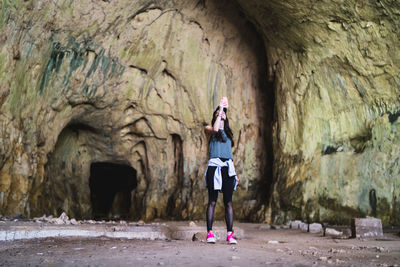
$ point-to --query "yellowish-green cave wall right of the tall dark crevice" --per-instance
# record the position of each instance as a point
(335, 66)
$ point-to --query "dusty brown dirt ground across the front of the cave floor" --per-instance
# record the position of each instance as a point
(259, 247)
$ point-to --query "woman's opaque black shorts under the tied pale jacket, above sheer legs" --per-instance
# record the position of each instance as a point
(228, 184)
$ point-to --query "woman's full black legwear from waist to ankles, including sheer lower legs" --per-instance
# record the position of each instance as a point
(228, 184)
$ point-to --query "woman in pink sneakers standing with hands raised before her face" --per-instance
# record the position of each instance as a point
(220, 174)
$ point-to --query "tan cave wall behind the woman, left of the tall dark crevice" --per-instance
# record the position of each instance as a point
(131, 82)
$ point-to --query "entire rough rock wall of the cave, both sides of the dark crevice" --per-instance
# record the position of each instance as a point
(314, 106)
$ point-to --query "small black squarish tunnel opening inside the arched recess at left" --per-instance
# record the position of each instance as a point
(111, 185)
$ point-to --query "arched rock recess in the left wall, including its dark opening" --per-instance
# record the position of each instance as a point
(87, 179)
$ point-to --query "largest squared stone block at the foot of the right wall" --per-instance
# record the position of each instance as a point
(366, 227)
